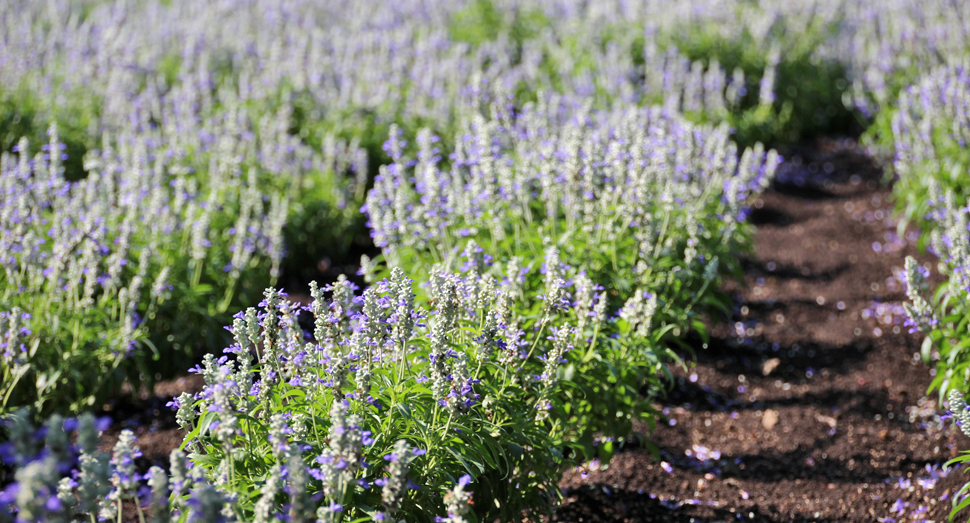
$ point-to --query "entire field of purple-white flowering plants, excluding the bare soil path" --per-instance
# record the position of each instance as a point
(428, 258)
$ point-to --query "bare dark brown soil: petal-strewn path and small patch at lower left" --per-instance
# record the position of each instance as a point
(808, 404)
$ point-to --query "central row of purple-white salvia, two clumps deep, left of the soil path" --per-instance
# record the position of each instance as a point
(473, 372)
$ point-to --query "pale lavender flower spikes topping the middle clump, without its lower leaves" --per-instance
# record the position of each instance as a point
(591, 173)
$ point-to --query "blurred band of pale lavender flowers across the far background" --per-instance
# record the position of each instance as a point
(355, 71)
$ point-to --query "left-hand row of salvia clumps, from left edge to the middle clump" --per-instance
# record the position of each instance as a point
(172, 225)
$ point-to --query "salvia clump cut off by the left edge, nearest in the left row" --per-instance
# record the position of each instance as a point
(74, 290)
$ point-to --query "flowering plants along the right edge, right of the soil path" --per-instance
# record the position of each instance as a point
(930, 130)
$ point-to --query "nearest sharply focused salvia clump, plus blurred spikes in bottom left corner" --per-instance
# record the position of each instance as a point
(385, 411)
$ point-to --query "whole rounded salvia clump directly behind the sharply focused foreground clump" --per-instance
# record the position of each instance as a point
(631, 199)
